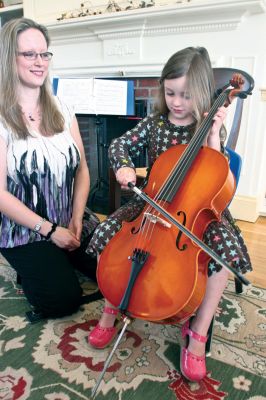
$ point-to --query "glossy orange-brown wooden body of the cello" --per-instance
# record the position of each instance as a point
(171, 284)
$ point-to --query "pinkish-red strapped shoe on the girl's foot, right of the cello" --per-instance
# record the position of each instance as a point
(192, 367)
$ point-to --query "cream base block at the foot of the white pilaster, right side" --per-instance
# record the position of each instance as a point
(245, 208)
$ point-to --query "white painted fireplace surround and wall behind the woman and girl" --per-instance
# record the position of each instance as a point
(138, 43)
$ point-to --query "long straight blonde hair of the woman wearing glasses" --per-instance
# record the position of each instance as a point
(52, 121)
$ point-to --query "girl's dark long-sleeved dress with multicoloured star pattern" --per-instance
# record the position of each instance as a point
(156, 133)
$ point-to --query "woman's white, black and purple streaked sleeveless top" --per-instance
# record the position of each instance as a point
(40, 173)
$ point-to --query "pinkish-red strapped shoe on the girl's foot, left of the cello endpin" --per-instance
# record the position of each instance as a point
(101, 337)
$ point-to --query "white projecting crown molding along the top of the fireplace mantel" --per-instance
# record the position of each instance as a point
(195, 16)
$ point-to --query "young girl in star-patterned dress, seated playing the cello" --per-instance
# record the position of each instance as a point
(186, 95)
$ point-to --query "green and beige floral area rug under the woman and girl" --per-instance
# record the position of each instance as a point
(52, 359)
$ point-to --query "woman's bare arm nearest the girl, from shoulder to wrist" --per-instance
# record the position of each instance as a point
(81, 184)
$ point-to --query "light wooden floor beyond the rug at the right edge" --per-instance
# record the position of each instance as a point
(255, 238)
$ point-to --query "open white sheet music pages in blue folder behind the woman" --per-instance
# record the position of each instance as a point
(94, 96)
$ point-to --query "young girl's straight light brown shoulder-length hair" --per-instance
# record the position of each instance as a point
(194, 62)
